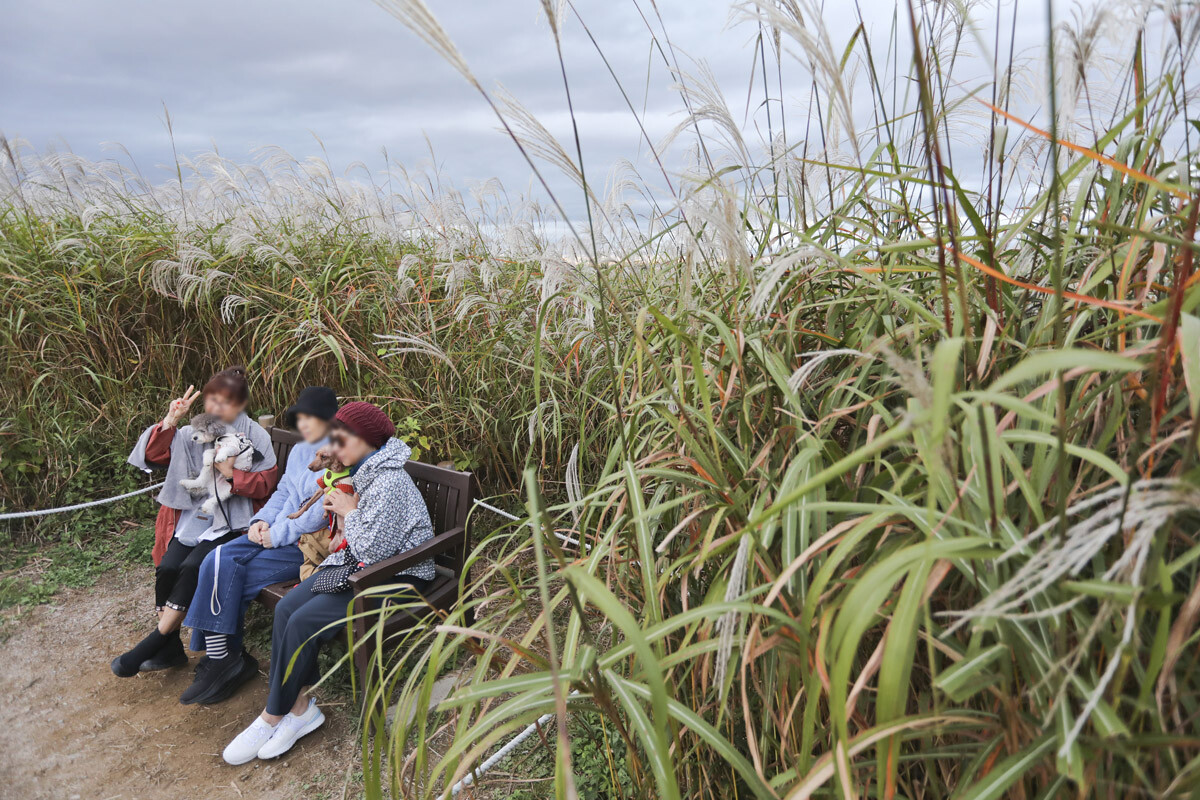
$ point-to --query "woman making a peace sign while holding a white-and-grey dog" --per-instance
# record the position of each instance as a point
(183, 536)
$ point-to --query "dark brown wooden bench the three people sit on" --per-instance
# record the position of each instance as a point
(449, 496)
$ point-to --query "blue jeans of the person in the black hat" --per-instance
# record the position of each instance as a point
(231, 578)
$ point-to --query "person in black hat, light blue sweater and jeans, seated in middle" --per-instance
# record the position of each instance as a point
(233, 575)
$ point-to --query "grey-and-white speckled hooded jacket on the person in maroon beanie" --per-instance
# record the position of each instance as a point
(392, 518)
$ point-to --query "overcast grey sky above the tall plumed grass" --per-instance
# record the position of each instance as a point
(237, 75)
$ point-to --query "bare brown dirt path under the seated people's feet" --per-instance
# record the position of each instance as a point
(69, 729)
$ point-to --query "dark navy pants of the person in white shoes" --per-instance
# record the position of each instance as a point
(298, 619)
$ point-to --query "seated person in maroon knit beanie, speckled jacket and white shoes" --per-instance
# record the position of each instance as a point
(385, 518)
